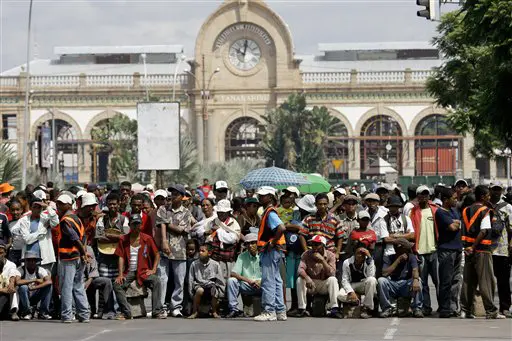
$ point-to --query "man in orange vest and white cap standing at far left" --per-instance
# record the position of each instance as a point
(72, 260)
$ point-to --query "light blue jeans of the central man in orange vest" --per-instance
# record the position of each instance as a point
(271, 282)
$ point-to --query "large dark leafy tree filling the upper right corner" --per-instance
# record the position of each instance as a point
(475, 83)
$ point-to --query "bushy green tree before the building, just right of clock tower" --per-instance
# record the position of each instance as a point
(296, 136)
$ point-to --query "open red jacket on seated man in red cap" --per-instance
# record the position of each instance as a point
(146, 257)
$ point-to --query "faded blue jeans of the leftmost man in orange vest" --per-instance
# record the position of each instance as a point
(71, 280)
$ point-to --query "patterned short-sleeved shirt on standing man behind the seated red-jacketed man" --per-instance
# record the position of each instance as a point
(182, 218)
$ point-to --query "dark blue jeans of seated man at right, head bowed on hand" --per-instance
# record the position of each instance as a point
(394, 289)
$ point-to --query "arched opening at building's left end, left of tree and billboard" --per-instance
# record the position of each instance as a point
(67, 149)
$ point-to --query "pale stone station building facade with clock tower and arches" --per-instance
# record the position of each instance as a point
(244, 64)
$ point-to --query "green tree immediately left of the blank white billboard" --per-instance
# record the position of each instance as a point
(118, 136)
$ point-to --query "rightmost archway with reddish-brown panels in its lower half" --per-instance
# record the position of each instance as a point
(436, 156)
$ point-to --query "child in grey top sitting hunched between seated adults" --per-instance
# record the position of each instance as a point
(205, 280)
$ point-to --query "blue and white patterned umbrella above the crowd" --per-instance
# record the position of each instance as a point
(272, 176)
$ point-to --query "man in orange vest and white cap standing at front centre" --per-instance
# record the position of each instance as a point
(271, 243)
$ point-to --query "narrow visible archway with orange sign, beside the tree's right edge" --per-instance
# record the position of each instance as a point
(337, 151)
